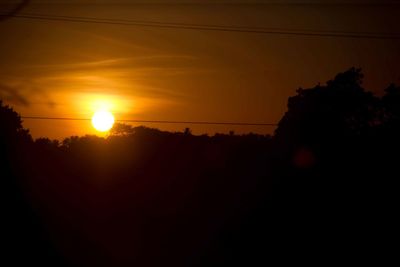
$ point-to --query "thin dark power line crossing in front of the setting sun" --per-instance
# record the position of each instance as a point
(155, 121)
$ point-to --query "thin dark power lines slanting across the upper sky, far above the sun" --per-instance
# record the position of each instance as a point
(208, 27)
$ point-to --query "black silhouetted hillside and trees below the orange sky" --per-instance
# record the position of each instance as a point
(322, 189)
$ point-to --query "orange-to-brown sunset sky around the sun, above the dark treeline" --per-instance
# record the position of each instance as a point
(68, 69)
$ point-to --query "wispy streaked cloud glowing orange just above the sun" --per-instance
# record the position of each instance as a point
(150, 78)
